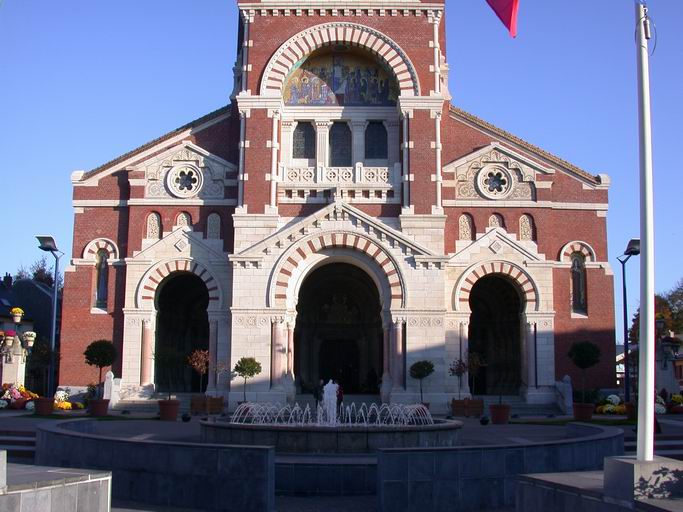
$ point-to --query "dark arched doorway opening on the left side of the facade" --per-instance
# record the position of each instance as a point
(182, 326)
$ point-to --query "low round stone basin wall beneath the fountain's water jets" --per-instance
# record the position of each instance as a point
(337, 439)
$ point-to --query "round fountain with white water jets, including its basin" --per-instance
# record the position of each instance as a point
(350, 428)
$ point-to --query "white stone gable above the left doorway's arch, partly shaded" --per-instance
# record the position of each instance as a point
(182, 242)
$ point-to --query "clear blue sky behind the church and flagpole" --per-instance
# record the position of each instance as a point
(82, 82)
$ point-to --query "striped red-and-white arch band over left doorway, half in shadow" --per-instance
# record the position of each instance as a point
(146, 293)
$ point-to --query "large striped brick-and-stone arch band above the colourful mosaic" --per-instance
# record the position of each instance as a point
(304, 43)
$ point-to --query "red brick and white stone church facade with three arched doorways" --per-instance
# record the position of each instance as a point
(340, 218)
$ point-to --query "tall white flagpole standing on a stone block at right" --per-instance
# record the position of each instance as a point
(646, 376)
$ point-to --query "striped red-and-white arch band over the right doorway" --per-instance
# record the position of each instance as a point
(525, 284)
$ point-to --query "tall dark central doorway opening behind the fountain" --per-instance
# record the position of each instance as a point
(338, 331)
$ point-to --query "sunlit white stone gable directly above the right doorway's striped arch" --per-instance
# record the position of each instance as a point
(499, 243)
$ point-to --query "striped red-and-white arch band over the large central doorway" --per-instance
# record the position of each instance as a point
(300, 259)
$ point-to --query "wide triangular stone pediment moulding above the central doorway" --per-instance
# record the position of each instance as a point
(337, 211)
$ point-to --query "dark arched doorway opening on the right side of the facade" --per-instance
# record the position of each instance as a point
(495, 335)
